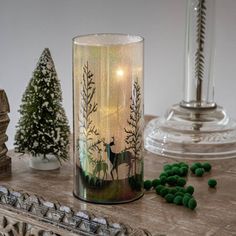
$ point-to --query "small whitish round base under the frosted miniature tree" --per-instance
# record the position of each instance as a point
(40, 163)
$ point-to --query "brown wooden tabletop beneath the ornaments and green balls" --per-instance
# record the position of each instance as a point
(214, 215)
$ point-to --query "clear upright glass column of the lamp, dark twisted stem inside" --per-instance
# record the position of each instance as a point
(199, 54)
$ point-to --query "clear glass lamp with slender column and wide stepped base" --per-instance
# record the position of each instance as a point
(196, 128)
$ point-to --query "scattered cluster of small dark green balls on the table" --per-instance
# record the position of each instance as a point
(171, 182)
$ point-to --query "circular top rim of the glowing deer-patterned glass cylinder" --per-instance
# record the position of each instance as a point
(128, 39)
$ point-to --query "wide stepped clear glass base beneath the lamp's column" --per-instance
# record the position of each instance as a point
(187, 133)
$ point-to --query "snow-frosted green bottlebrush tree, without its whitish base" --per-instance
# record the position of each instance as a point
(43, 126)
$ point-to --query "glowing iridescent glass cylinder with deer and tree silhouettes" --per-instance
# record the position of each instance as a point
(108, 117)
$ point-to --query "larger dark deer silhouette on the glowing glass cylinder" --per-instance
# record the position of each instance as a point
(118, 158)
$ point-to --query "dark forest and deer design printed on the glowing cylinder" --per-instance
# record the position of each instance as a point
(98, 165)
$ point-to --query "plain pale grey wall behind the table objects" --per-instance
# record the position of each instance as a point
(28, 26)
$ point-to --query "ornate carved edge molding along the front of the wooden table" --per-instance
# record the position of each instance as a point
(32, 215)
